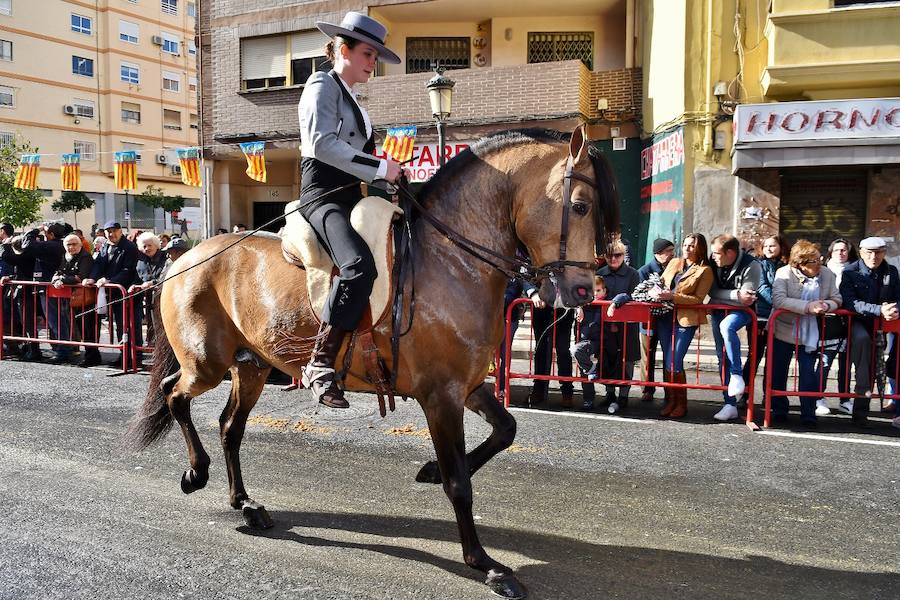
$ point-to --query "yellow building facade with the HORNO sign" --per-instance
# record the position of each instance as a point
(785, 115)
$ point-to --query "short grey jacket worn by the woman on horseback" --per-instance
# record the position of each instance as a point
(332, 127)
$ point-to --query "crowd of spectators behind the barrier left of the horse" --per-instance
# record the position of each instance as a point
(85, 281)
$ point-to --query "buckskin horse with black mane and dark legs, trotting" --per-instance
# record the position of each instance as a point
(509, 189)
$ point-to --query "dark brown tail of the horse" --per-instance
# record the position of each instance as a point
(154, 419)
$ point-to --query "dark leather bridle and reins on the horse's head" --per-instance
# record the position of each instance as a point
(515, 267)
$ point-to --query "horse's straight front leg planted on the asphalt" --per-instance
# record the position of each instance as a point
(446, 427)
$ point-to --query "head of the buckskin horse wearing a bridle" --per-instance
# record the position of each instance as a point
(564, 223)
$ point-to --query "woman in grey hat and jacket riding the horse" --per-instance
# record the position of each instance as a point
(337, 144)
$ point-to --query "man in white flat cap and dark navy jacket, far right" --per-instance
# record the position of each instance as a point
(871, 288)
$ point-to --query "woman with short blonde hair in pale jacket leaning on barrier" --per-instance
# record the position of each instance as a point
(807, 290)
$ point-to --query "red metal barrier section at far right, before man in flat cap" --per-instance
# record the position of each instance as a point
(880, 325)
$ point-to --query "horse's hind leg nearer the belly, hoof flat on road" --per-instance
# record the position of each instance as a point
(247, 382)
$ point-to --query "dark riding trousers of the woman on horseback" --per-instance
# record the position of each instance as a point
(351, 288)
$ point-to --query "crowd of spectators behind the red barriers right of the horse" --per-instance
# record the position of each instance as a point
(807, 286)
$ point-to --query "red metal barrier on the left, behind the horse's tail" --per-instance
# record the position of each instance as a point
(30, 292)
